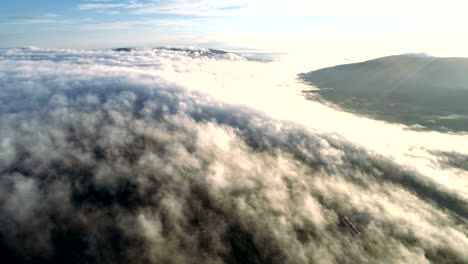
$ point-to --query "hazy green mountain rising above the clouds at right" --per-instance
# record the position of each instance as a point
(411, 89)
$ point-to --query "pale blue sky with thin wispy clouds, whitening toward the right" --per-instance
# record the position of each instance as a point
(343, 28)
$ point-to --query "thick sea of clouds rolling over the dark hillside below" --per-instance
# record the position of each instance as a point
(183, 156)
